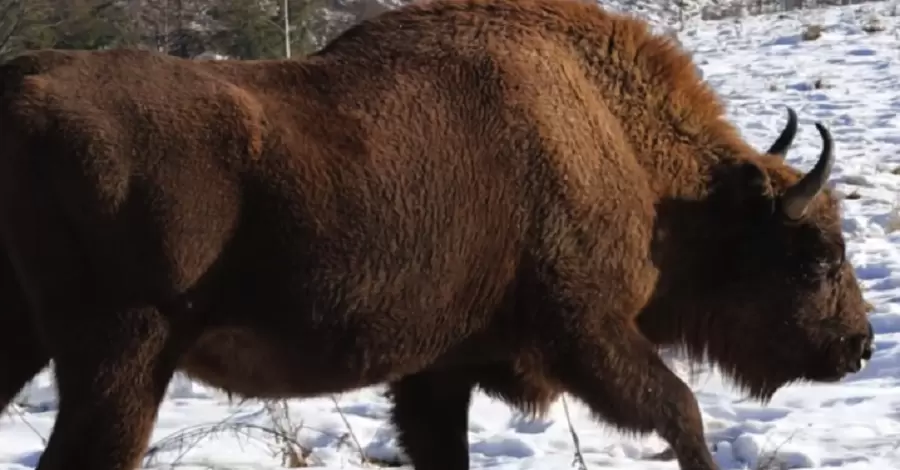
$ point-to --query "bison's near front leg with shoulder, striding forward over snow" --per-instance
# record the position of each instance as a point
(598, 276)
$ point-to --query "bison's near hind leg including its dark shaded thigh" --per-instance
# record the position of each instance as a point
(113, 355)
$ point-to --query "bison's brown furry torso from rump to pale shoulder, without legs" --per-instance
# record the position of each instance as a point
(385, 196)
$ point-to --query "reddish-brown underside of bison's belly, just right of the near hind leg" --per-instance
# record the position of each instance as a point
(248, 364)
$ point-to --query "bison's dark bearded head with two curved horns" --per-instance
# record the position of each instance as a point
(768, 292)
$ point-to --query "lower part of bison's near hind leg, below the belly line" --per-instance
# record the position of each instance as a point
(112, 374)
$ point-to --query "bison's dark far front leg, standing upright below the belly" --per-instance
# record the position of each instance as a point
(431, 416)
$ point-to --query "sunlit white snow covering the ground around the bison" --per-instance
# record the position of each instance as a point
(759, 65)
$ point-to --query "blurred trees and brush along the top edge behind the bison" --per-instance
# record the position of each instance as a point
(254, 29)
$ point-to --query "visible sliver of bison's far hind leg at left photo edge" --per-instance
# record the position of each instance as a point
(22, 355)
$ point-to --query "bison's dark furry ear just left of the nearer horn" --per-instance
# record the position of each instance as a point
(744, 188)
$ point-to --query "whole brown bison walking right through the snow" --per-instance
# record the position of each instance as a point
(526, 195)
